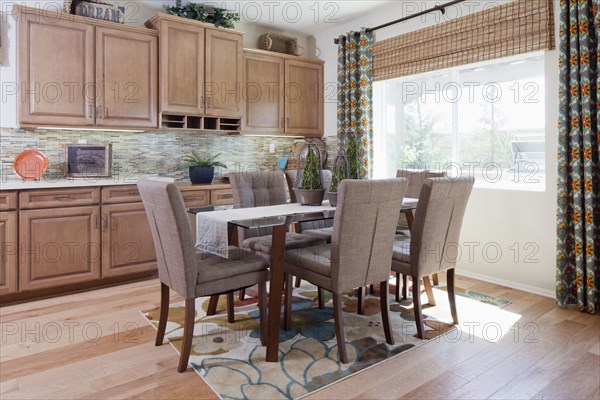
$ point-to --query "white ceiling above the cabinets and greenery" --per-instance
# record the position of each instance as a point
(302, 16)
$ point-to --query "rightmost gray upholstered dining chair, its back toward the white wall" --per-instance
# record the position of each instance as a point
(432, 246)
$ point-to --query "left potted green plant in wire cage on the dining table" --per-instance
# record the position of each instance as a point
(309, 190)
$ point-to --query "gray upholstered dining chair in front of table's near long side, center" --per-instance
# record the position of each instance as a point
(360, 251)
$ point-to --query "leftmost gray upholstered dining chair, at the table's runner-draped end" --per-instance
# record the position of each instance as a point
(190, 272)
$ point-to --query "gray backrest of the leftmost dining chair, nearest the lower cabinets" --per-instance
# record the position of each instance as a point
(172, 235)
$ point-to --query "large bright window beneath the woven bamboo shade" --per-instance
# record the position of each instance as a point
(486, 120)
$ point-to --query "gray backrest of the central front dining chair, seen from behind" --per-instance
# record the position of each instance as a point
(363, 231)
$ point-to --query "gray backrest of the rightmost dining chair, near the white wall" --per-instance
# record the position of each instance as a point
(436, 226)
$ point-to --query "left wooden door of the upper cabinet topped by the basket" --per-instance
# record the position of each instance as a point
(263, 94)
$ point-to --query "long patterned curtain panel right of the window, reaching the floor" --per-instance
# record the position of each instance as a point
(578, 217)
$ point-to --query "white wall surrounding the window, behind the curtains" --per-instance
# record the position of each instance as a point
(495, 218)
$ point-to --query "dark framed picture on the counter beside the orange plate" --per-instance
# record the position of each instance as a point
(88, 160)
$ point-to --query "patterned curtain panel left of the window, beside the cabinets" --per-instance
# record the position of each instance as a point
(355, 94)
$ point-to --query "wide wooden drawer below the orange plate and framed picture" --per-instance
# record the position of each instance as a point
(51, 198)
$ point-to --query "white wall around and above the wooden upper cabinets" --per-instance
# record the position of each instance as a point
(137, 13)
